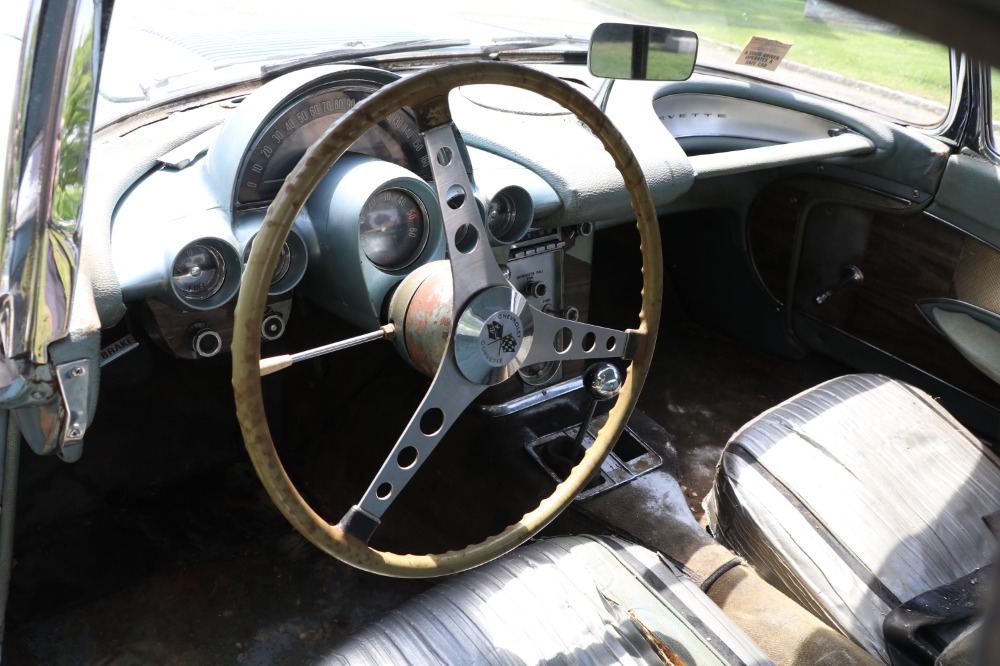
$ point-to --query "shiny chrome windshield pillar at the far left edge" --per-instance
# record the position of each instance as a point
(43, 192)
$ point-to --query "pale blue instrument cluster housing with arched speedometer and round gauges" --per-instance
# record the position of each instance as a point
(182, 235)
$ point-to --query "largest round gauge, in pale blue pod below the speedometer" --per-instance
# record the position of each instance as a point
(393, 229)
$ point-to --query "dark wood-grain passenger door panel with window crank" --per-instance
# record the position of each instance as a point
(802, 242)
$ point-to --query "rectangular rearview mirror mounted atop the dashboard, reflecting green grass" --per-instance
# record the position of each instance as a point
(644, 52)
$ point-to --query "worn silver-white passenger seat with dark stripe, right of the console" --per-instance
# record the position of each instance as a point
(855, 496)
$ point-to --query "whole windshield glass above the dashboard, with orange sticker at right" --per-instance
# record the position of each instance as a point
(157, 51)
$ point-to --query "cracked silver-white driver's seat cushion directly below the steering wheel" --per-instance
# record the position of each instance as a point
(570, 600)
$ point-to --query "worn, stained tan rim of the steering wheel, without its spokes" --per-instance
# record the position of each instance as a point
(299, 184)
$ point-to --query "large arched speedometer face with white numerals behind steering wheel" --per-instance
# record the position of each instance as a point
(277, 148)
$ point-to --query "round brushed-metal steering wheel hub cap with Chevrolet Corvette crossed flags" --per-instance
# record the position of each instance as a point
(493, 335)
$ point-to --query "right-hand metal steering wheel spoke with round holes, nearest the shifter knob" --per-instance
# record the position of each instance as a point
(558, 339)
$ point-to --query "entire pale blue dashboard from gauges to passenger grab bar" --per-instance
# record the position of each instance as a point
(181, 233)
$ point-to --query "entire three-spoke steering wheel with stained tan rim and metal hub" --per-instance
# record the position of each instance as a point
(497, 332)
